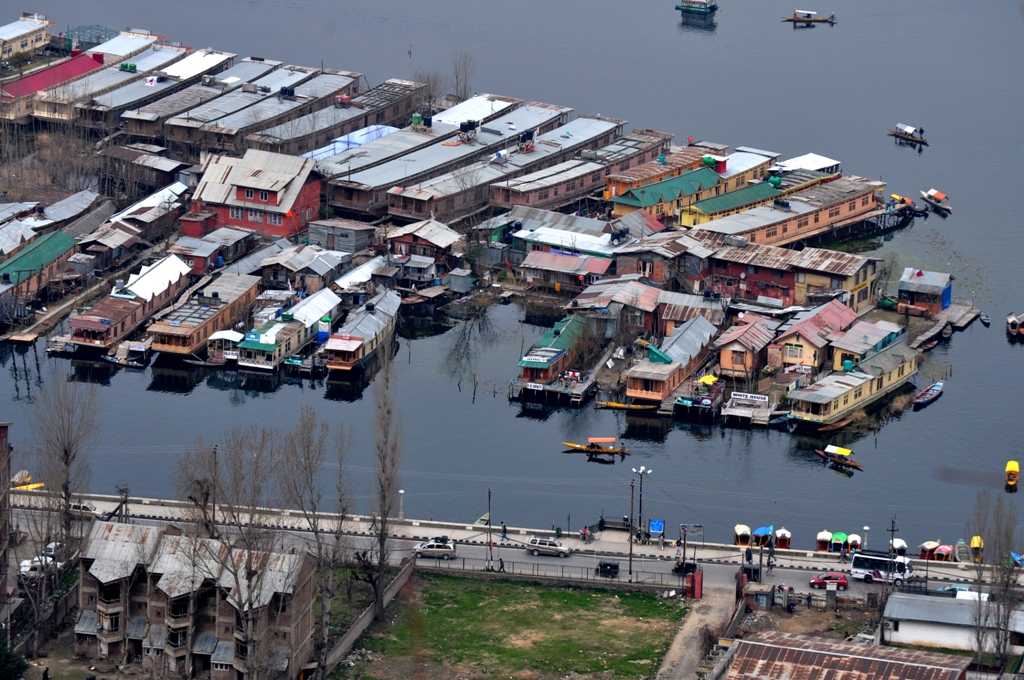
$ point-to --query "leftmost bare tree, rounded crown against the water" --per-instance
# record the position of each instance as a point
(66, 430)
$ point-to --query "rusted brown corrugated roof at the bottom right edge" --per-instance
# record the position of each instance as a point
(790, 657)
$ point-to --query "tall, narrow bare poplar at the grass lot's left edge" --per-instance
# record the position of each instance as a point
(388, 461)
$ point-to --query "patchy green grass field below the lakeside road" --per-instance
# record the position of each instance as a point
(495, 628)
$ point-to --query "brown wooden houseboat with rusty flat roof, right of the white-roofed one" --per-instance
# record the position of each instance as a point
(187, 329)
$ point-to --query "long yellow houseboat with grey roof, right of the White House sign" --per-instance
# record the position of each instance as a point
(837, 397)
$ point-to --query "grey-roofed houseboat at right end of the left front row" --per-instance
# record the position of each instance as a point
(364, 332)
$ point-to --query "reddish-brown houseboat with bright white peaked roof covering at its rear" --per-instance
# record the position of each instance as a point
(130, 306)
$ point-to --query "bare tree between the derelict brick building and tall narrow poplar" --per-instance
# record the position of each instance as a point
(306, 459)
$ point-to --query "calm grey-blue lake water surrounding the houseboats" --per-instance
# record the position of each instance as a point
(747, 80)
